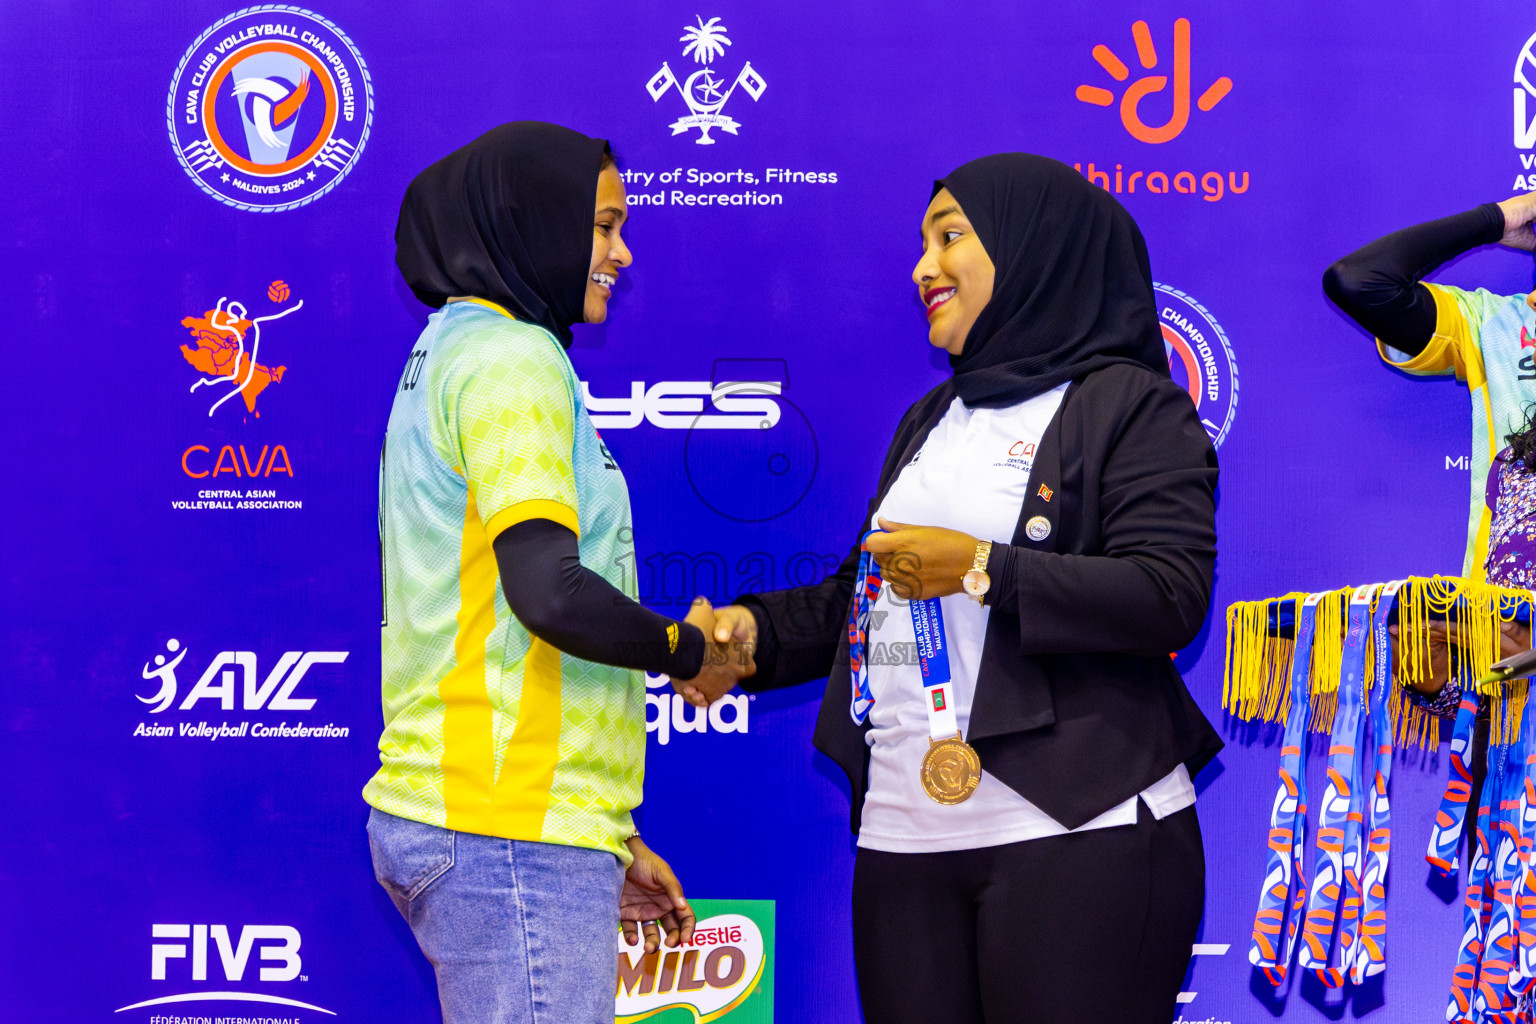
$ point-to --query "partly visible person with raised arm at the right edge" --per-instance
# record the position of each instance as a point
(1426, 329)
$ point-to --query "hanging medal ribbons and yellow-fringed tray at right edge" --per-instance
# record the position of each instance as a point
(1329, 669)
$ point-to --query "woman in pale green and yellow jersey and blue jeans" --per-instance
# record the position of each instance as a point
(514, 649)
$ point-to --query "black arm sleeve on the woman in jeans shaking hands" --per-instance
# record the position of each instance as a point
(575, 610)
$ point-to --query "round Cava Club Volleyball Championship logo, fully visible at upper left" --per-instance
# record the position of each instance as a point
(270, 108)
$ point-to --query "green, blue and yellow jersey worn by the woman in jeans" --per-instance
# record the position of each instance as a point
(491, 730)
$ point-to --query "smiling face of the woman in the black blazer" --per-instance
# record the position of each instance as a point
(955, 276)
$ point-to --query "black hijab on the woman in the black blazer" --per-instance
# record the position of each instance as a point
(1073, 289)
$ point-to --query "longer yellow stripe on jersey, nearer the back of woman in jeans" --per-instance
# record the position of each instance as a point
(468, 753)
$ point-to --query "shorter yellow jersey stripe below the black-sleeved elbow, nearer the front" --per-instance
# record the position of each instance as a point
(528, 770)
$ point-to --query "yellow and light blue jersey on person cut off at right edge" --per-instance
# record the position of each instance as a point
(1489, 342)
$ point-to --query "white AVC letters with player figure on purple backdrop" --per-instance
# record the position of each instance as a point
(219, 681)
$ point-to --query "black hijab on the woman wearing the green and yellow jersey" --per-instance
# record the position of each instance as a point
(506, 219)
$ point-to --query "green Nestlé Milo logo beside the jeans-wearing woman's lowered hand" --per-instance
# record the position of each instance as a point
(724, 973)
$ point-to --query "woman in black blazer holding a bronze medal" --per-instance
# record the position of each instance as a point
(1065, 484)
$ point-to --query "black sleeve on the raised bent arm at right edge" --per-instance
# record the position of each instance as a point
(1379, 286)
